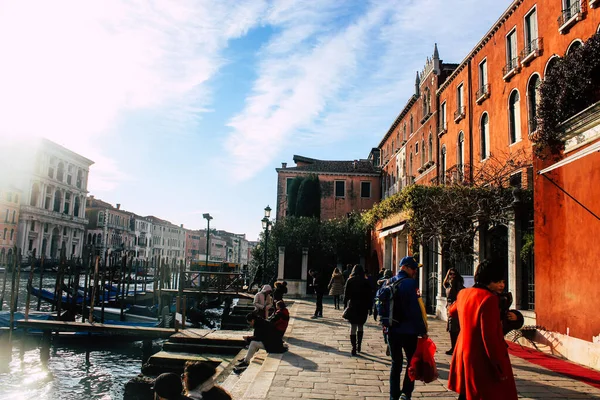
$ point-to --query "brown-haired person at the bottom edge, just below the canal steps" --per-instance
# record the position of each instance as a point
(198, 381)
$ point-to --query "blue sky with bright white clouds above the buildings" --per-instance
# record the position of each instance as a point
(187, 107)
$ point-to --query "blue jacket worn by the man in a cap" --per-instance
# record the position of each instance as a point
(406, 297)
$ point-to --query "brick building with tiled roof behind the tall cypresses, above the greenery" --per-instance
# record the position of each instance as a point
(346, 186)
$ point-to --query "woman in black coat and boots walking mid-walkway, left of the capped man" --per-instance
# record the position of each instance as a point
(357, 303)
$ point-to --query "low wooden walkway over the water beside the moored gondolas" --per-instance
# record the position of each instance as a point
(93, 327)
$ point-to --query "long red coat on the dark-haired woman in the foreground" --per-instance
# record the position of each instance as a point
(480, 365)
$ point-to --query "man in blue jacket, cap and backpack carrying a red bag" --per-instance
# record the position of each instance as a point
(403, 336)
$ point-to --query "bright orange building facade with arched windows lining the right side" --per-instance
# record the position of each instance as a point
(466, 122)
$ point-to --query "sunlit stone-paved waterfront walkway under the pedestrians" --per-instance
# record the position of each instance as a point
(318, 365)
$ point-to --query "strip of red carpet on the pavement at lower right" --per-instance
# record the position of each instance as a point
(563, 367)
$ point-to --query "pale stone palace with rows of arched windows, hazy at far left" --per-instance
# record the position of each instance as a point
(54, 186)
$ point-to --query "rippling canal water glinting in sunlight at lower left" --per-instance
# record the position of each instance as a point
(67, 375)
